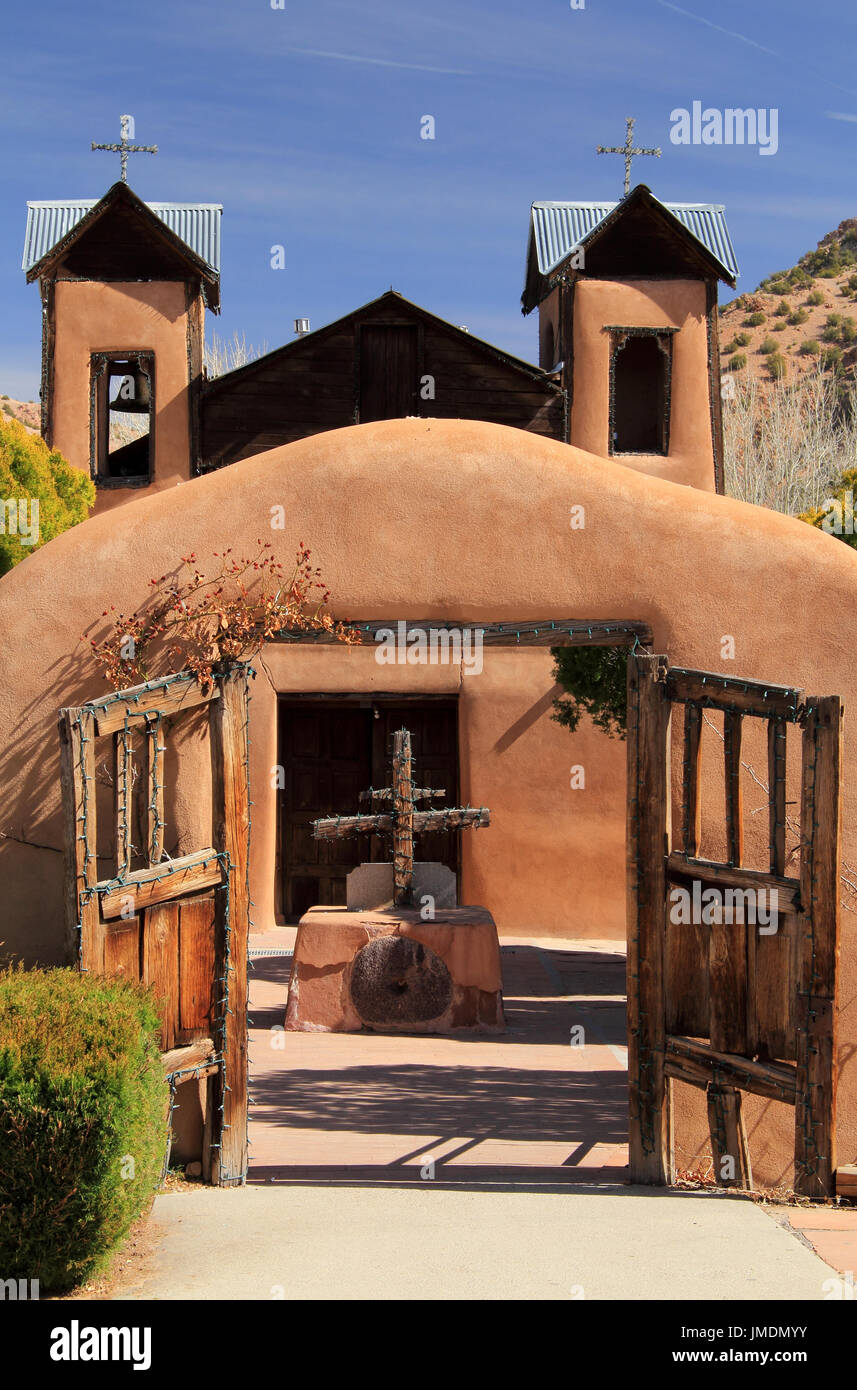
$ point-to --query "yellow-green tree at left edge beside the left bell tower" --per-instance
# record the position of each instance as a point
(41, 494)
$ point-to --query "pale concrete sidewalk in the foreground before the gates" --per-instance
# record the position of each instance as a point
(431, 1242)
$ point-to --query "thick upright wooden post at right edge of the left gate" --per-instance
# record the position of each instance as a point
(231, 824)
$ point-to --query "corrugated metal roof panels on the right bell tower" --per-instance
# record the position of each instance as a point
(559, 227)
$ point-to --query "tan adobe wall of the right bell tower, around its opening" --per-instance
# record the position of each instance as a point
(658, 304)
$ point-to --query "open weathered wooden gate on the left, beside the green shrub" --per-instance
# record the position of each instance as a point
(180, 925)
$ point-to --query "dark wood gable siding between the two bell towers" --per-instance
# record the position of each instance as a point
(317, 383)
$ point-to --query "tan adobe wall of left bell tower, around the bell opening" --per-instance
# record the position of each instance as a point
(113, 318)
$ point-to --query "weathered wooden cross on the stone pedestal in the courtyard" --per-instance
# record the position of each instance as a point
(403, 819)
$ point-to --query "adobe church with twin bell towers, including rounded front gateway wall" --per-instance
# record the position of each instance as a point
(434, 479)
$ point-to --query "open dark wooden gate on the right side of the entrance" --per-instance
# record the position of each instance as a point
(719, 1004)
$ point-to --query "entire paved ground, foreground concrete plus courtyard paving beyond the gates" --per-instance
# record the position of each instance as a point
(526, 1197)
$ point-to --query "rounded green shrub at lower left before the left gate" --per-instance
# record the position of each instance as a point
(83, 1121)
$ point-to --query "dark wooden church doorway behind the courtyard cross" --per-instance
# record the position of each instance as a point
(334, 747)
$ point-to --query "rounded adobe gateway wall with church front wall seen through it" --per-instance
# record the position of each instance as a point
(456, 522)
